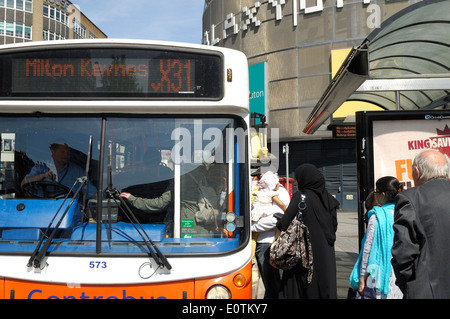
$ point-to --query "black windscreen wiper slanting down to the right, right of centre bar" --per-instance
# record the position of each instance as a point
(156, 254)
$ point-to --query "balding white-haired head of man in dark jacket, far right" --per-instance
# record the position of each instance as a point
(430, 164)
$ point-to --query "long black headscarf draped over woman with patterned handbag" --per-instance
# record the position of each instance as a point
(319, 201)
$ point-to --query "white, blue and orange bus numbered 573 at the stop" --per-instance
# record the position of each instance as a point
(124, 171)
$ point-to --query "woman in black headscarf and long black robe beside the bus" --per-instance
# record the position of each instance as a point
(321, 220)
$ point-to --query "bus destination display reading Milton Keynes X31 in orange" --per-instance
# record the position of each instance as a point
(111, 73)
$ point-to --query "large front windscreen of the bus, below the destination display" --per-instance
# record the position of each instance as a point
(173, 179)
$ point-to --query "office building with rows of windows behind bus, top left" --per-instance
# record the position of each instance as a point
(38, 20)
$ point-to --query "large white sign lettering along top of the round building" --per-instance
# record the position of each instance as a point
(247, 17)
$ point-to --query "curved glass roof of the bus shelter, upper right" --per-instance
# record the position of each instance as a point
(408, 64)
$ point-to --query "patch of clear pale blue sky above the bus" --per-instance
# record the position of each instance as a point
(166, 20)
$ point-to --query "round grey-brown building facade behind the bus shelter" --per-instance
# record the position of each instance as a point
(301, 44)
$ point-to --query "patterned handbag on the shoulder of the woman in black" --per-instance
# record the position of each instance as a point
(293, 246)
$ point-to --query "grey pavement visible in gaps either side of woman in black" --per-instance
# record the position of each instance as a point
(347, 249)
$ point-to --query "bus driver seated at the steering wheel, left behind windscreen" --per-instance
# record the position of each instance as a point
(66, 173)
